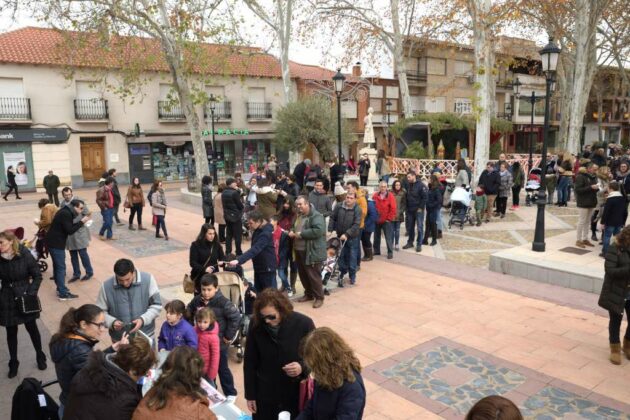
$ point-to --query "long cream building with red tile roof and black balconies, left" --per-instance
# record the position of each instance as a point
(79, 128)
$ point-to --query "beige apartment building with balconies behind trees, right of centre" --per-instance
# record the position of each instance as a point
(441, 77)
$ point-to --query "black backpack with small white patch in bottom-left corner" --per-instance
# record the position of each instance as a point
(31, 402)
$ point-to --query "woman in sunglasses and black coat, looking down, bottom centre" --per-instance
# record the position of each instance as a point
(273, 366)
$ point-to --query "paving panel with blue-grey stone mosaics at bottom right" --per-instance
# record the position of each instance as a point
(447, 378)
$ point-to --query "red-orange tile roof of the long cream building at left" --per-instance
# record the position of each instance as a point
(45, 46)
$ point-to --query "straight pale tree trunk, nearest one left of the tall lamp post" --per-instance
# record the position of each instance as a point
(485, 83)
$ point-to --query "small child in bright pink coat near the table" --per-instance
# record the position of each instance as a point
(209, 349)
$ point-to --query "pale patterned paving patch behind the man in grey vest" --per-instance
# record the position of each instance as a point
(137, 243)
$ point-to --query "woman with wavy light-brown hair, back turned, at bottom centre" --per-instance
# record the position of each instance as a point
(339, 391)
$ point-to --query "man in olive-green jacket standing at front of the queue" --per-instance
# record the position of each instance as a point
(309, 247)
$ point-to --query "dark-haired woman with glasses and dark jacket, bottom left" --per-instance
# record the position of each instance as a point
(79, 331)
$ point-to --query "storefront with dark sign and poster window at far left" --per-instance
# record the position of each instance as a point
(26, 150)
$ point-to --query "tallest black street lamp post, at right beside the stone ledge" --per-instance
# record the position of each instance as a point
(549, 55)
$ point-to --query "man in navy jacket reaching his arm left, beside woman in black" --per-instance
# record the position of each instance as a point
(262, 253)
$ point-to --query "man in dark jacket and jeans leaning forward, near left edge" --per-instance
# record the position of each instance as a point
(62, 226)
